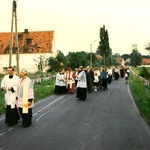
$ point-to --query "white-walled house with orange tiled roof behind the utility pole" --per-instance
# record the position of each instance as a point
(31, 46)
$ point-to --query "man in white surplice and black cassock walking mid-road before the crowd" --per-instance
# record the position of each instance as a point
(81, 85)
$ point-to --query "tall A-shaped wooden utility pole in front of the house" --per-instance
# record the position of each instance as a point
(12, 46)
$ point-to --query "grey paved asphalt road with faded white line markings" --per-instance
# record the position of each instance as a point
(107, 120)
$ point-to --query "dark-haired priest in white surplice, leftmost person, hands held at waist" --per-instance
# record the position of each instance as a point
(9, 86)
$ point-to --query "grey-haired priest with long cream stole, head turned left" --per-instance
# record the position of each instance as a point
(25, 98)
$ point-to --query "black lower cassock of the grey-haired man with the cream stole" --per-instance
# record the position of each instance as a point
(26, 118)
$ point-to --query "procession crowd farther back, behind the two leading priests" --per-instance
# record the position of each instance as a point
(88, 79)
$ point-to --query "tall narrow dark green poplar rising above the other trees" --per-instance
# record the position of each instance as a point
(103, 48)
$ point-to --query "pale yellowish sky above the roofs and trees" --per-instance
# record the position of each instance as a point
(76, 23)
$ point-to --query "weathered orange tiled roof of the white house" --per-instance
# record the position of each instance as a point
(29, 42)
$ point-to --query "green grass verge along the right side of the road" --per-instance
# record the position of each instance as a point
(141, 94)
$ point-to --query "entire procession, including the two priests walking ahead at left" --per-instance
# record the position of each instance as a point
(19, 91)
